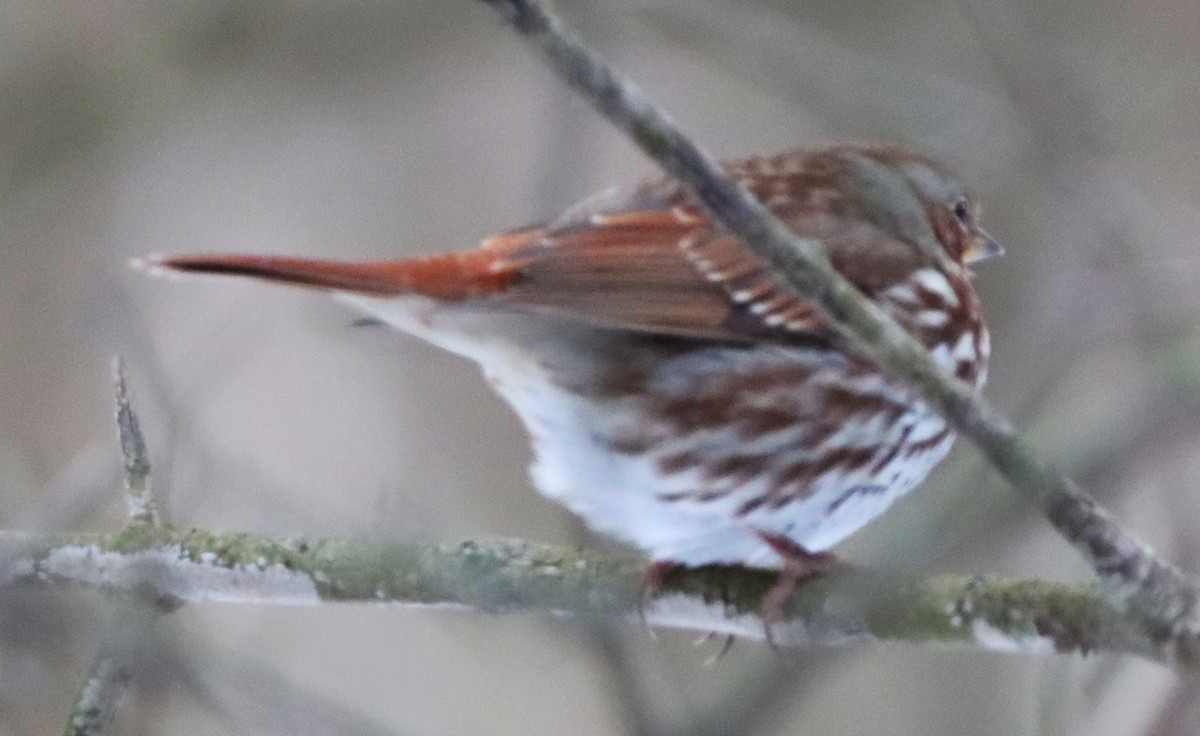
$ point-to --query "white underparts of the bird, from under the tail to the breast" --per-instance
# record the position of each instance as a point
(623, 493)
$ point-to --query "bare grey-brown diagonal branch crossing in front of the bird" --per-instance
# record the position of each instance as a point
(1133, 578)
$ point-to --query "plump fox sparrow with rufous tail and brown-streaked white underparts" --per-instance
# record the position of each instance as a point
(677, 394)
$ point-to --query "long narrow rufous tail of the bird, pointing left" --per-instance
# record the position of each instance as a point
(446, 277)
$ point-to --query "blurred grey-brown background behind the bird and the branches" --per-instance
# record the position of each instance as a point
(385, 129)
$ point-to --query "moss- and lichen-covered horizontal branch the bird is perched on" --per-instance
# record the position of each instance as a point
(169, 567)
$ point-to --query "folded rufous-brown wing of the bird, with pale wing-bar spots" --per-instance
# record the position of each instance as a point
(658, 271)
